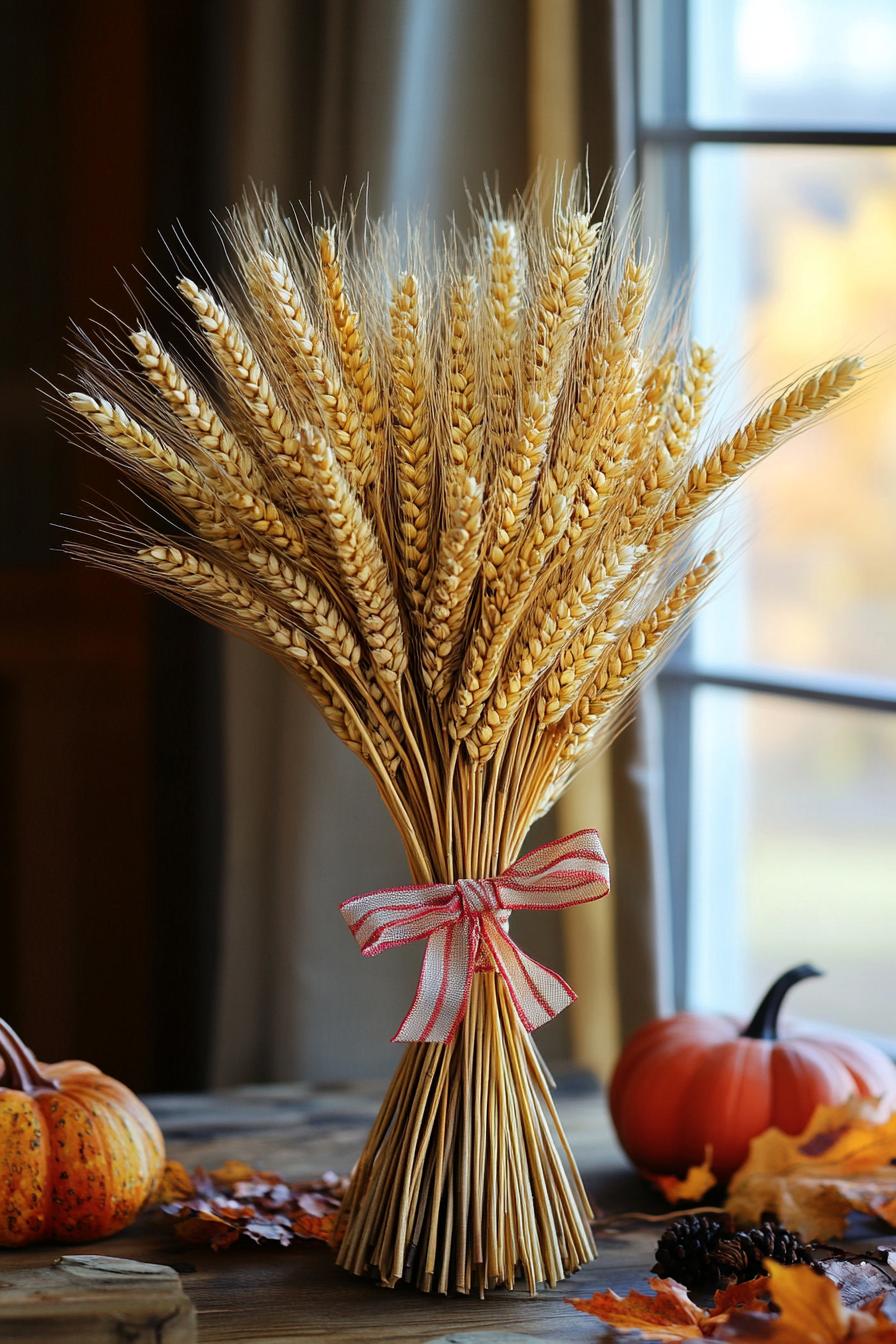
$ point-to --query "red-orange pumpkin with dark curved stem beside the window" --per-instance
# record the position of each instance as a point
(691, 1081)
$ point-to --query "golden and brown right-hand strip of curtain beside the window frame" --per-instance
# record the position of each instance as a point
(619, 952)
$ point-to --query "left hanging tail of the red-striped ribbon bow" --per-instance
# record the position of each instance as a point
(444, 987)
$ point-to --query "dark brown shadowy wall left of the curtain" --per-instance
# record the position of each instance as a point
(118, 122)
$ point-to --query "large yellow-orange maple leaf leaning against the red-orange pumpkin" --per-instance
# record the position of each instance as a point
(812, 1182)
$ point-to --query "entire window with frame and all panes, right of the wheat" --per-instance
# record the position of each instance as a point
(768, 149)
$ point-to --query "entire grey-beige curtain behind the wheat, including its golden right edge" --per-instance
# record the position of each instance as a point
(425, 97)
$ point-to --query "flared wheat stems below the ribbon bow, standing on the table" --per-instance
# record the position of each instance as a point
(460, 1186)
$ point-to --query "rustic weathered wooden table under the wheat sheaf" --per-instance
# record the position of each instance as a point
(273, 1295)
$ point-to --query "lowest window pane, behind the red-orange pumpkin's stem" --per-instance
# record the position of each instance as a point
(795, 855)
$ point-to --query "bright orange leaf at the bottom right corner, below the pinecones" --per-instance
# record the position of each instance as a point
(812, 1312)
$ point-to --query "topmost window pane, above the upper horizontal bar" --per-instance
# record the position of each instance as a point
(793, 62)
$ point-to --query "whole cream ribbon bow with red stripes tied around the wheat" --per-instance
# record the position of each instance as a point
(465, 924)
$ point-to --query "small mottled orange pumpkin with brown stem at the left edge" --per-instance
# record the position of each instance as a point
(79, 1154)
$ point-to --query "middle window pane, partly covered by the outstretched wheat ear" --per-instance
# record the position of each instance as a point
(796, 263)
